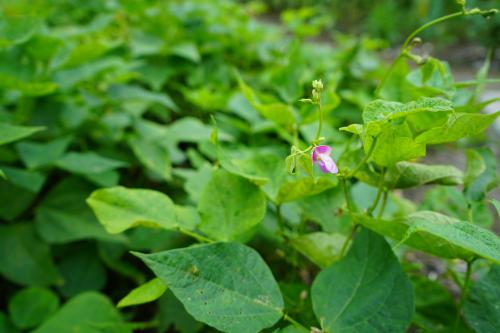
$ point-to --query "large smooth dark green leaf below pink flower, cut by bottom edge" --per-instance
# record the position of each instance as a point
(366, 291)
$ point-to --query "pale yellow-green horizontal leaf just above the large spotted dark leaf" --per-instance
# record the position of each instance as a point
(119, 208)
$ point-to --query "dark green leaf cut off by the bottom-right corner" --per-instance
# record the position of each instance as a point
(482, 305)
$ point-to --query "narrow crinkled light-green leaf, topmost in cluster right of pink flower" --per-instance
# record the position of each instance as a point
(380, 110)
